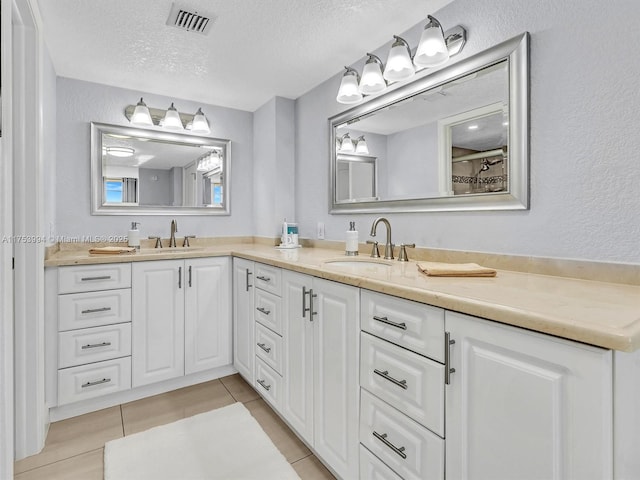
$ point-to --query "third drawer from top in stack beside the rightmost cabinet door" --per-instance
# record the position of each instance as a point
(408, 448)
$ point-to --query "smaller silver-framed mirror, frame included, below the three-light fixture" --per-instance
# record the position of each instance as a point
(147, 172)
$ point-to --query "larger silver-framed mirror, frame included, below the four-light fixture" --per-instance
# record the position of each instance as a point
(456, 139)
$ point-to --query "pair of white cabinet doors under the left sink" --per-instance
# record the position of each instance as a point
(181, 318)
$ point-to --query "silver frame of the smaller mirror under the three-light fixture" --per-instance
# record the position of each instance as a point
(97, 206)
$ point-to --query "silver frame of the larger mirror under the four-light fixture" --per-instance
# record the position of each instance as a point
(516, 52)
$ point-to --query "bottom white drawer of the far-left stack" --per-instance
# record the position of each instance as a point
(93, 380)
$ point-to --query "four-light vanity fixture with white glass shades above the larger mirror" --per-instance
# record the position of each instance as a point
(434, 49)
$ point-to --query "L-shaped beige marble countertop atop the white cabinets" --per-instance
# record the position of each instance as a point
(597, 313)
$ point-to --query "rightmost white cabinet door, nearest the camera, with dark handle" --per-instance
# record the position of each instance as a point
(525, 405)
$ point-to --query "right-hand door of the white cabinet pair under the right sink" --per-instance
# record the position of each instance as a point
(335, 372)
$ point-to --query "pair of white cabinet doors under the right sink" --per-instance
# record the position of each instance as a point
(321, 390)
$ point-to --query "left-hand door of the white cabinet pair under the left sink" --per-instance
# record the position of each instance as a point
(157, 321)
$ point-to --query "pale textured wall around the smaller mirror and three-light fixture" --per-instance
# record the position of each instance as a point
(80, 103)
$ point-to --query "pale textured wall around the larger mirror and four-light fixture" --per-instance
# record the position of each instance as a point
(585, 176)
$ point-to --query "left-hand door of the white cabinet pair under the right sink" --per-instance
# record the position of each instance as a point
(297, 401)
